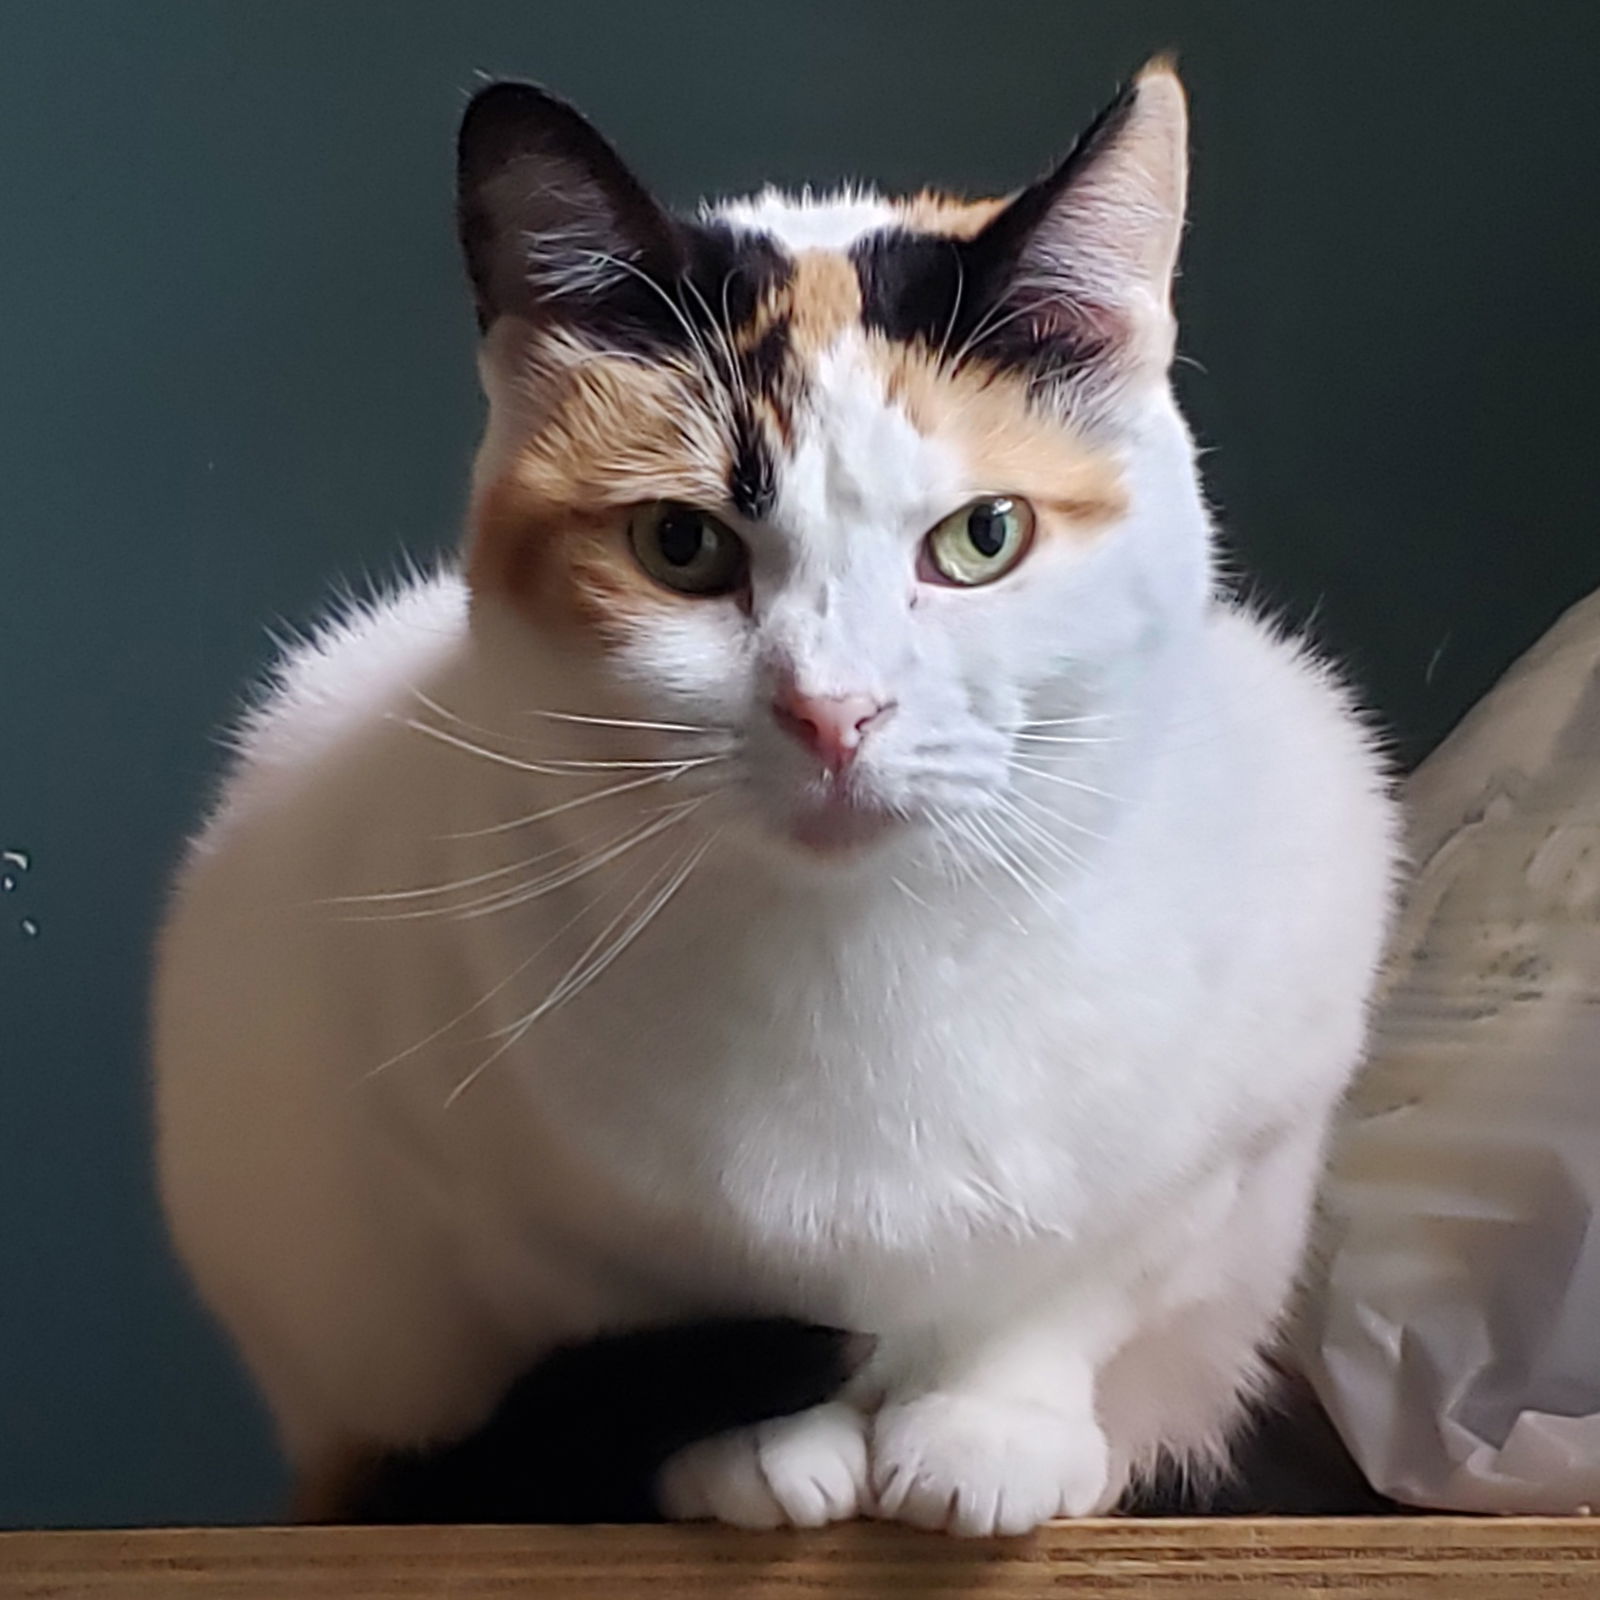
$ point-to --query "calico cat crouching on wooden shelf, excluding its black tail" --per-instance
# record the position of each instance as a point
(830, 850)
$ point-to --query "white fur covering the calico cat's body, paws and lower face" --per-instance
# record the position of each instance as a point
(1047, 1121)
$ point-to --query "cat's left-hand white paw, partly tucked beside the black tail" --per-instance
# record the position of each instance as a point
(799, 1471)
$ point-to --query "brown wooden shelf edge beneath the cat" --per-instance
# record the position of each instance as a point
(1394, 1559)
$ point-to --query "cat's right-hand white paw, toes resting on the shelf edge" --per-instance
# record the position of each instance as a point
(978, 1466)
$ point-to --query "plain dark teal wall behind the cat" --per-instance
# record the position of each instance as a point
(236, 364)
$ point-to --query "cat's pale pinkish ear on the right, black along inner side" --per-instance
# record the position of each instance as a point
(1086, 257)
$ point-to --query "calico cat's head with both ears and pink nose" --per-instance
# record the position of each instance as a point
(865, 486)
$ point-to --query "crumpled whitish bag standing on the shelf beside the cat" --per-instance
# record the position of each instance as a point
(1454, 1329)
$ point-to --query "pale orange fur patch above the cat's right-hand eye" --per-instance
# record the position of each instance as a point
(1009, 446)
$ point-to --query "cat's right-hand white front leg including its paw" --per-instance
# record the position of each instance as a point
(998, 1438)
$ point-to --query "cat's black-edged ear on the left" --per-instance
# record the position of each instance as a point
(550, 215)
